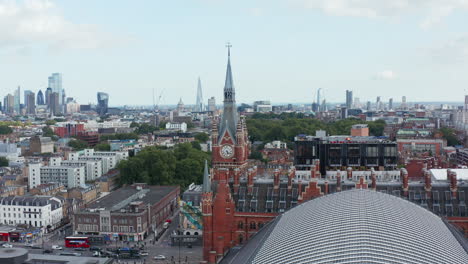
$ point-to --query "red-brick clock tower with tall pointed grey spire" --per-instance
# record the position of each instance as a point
(230, 151)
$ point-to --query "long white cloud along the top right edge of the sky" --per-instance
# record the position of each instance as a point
(432, 11)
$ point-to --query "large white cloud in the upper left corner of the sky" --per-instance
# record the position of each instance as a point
(29, 23)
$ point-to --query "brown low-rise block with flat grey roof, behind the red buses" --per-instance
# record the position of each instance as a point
(131, 212)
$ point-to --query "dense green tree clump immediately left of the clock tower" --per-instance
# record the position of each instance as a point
(153, 165)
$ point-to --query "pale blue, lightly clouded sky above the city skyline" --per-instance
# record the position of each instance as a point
(282, 50)
